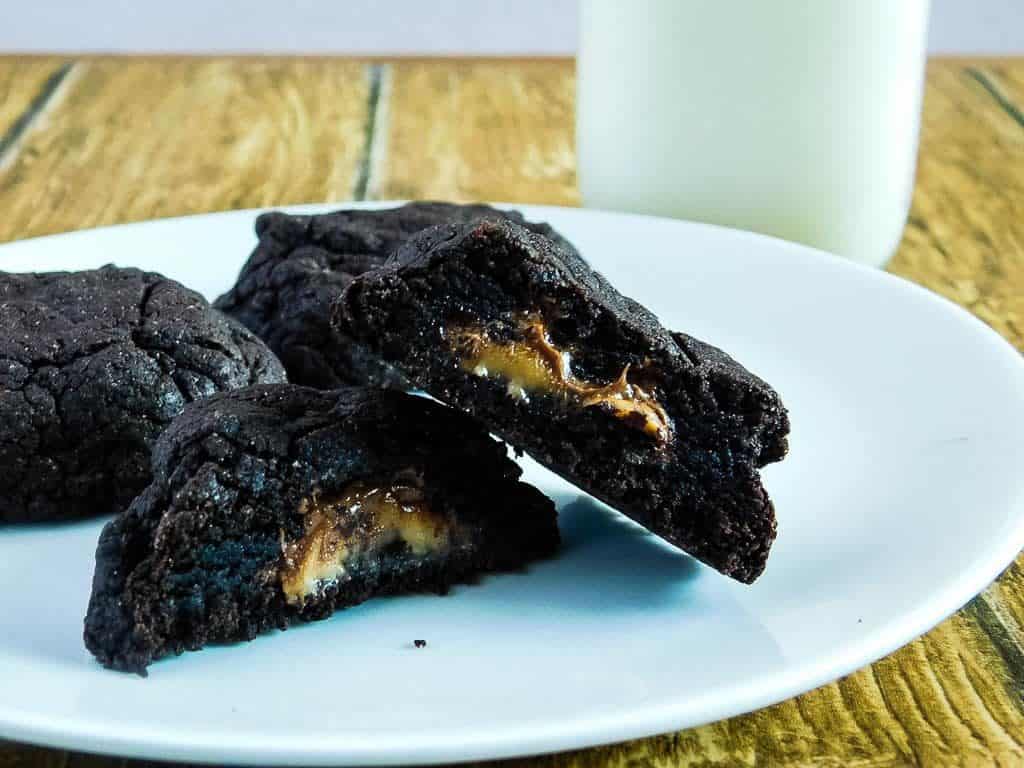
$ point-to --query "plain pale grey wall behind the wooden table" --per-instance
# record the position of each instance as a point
(390, 27)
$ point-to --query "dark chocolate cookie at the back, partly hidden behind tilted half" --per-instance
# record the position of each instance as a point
(302, 265)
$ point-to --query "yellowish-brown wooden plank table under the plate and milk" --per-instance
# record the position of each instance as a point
(97, 142)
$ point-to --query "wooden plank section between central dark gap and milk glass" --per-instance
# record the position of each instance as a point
(479, 131)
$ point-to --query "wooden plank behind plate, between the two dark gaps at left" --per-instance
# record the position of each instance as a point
(150, 139)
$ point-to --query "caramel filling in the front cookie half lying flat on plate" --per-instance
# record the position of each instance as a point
(345, 530)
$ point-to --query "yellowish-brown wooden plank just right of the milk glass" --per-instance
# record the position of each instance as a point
(965, 238)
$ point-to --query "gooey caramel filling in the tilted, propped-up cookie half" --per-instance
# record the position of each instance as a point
(535, 365)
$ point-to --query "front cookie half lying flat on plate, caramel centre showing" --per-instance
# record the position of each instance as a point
(281, 504)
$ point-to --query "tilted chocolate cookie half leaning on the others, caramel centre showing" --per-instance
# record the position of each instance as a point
(501, 323)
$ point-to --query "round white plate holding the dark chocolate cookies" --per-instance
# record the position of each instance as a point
(903, 498)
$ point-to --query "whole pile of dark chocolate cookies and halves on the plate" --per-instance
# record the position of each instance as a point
(244, 503)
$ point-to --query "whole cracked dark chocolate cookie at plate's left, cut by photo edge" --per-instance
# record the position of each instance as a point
(94, 366)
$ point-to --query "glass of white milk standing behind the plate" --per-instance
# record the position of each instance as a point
(795, 118)
